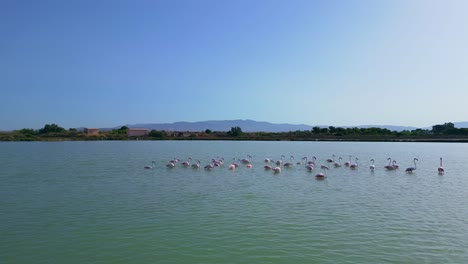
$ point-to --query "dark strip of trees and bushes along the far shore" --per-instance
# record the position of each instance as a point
(446, 132)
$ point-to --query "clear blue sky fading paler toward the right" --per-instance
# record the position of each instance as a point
(88, 63)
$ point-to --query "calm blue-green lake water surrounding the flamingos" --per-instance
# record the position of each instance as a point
(93, 202)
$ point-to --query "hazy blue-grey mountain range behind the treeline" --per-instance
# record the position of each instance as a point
(246, 126)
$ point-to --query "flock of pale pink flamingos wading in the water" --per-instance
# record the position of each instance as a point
(275, 166)
